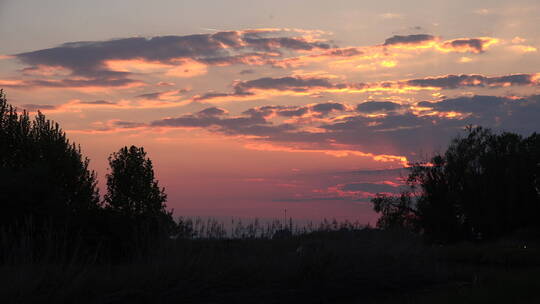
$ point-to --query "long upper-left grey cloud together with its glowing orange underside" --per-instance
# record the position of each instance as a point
(111, 63)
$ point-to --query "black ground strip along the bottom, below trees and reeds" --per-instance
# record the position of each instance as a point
(360, 266)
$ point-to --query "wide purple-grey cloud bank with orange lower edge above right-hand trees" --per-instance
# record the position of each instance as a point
(393, 138)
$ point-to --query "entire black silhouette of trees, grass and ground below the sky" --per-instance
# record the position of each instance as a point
(59, 243)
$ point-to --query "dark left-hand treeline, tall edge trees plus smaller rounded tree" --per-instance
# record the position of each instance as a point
(46, 185)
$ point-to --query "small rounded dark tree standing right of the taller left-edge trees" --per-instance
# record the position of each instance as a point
(133, 191)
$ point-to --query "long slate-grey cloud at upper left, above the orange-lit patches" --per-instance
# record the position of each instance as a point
(88, 58)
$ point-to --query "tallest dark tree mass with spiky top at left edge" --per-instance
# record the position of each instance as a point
(42, 175)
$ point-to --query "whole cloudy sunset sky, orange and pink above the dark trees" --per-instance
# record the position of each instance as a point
(248, 108)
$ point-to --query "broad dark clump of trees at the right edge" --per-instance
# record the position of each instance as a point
(485, 186)
